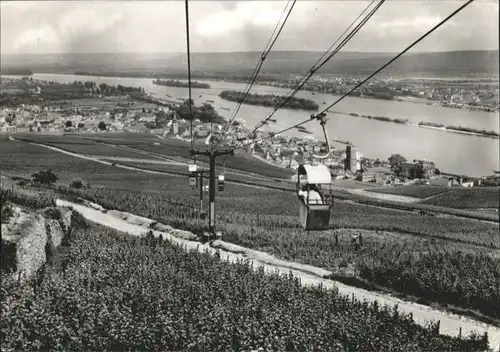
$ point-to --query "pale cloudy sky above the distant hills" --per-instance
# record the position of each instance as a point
(159, 26)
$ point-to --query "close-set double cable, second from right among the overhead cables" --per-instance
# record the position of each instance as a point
(317, 65)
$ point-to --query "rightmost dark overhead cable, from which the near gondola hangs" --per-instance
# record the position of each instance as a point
(313, 116)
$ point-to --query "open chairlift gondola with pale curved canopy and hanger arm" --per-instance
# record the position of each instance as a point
(314, 190)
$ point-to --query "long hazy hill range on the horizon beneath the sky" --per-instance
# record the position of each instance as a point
(439, 64)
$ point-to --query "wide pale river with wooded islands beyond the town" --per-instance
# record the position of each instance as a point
(453, 153)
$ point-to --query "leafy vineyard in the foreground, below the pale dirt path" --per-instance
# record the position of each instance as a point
(109, 291)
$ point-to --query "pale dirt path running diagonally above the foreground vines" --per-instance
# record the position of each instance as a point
(309, 275)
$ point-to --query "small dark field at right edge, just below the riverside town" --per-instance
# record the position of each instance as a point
(468, 198)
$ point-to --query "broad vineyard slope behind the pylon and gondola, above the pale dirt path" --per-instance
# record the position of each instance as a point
(399, 247)
